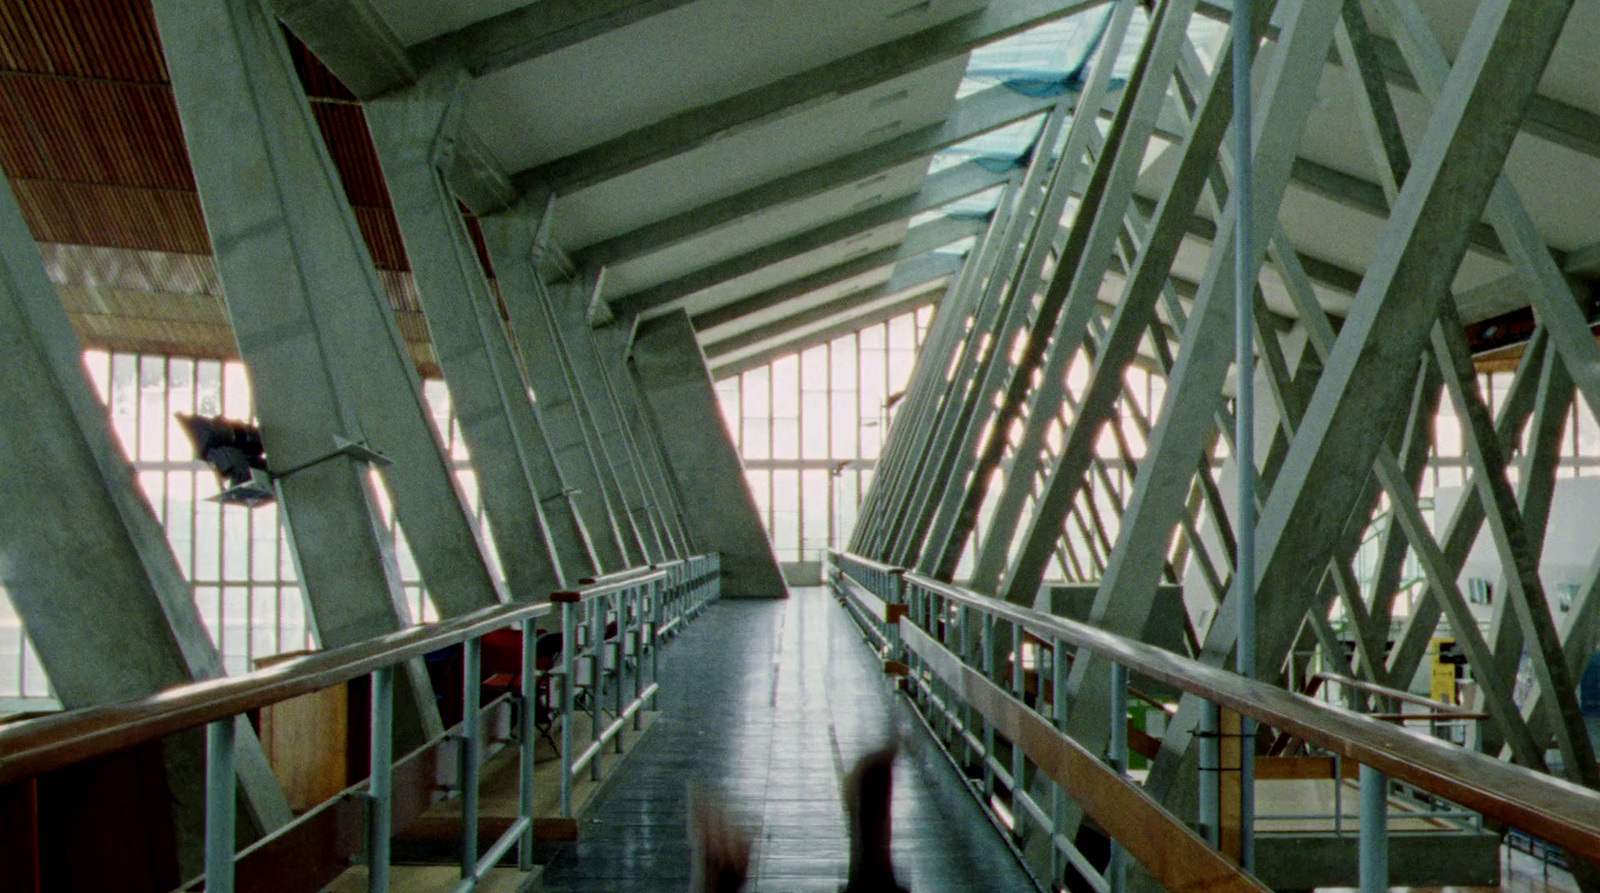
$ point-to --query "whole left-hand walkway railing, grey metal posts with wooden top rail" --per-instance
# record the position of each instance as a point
(39, 747)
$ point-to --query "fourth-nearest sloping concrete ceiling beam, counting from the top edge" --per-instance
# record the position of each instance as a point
(940, 190)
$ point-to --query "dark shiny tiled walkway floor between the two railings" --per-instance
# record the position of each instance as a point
(769, 703)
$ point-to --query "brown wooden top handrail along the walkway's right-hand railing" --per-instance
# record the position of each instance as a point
(1550, 807)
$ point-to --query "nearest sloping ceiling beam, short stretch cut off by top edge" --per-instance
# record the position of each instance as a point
(527, 33)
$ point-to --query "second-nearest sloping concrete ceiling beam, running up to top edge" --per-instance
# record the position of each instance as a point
(705, 124)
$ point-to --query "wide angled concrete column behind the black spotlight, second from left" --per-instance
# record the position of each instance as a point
(322, 346)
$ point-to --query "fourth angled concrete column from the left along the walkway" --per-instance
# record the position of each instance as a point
(516, 244)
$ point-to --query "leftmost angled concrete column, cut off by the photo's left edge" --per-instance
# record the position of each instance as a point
(70, 492)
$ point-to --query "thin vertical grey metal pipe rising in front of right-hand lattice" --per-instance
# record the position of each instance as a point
(1246, 415)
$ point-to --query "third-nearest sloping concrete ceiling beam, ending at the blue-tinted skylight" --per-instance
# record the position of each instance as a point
(970, 118)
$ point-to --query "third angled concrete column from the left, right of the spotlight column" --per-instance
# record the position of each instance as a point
(542, 545)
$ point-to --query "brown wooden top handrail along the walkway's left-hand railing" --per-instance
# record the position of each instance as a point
(49, 743)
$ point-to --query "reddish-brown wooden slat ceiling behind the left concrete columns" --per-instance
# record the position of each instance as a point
(92, 143)
